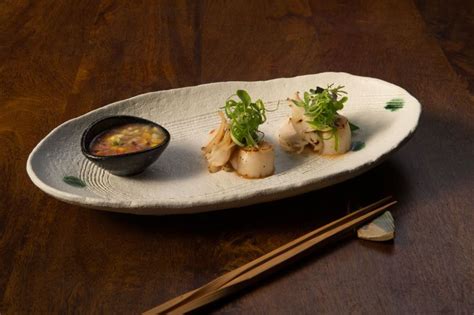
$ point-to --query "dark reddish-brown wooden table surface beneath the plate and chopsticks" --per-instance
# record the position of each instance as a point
(62, 59)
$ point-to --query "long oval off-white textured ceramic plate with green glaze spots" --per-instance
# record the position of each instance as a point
(179, 181)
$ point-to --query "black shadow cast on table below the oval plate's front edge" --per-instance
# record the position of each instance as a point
(292, 216)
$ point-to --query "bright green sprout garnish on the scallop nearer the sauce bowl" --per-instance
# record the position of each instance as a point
(245, 117)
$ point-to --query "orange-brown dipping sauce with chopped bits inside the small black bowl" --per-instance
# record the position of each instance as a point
(127, 138)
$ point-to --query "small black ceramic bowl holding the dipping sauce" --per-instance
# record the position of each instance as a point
(124, 164)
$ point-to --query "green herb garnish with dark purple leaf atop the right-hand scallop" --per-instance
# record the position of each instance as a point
(321, 106)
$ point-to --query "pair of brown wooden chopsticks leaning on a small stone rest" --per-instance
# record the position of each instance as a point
(250, 272)
